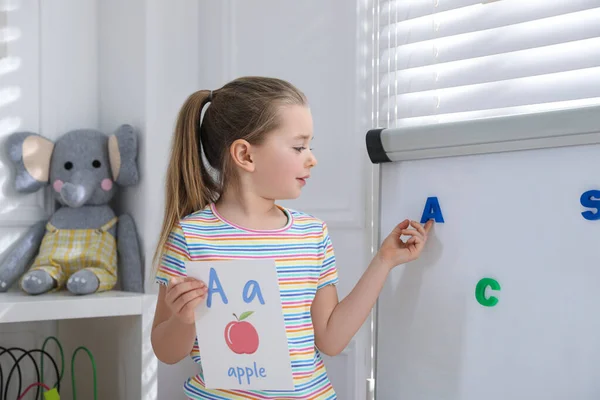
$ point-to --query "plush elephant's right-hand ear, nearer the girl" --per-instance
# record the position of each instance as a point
(122, 151)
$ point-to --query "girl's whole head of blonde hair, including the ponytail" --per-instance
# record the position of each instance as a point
(245, 108)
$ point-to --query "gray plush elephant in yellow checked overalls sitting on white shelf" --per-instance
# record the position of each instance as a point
(83, 246)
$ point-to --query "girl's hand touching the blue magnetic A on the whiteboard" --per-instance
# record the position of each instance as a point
(394, 251)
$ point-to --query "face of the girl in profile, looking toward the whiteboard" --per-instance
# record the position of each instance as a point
(284, 160)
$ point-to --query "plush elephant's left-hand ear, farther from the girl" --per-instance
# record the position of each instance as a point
(30, 154)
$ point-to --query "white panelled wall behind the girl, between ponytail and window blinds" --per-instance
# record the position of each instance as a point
(317, 46)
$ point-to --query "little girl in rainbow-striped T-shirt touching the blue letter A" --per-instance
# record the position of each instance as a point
(226, 172)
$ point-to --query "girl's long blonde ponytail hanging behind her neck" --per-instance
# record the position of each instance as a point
(189, 186)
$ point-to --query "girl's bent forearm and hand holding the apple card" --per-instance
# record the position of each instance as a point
(174, 328)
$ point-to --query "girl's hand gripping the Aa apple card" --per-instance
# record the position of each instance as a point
(183, 296)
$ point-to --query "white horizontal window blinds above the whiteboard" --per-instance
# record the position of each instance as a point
(450, 60)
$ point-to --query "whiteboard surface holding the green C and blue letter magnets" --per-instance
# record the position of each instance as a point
(515, 218)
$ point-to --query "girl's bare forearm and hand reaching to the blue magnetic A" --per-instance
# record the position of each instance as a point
(335, 323)
